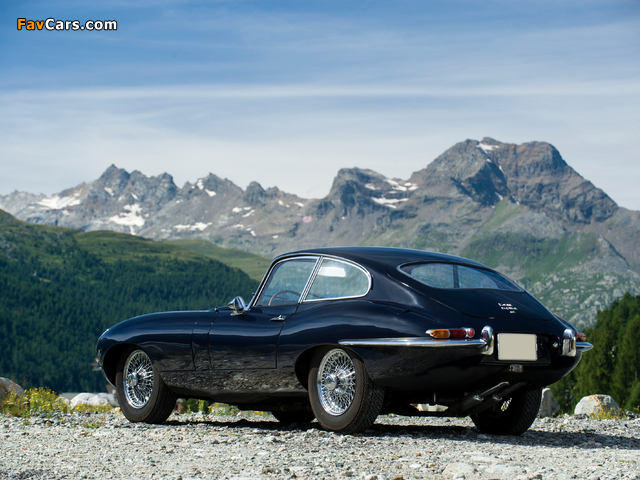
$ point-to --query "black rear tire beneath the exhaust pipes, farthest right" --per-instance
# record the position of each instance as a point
(512, 416)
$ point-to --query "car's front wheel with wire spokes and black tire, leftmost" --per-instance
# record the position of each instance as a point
(142, 394)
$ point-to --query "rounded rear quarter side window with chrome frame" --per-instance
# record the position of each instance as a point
(336, 279)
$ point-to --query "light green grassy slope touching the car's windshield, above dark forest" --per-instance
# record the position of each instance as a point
(253, 265)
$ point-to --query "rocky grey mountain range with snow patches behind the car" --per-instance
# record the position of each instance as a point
(518, 208)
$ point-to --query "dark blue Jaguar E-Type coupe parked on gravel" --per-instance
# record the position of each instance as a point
(346, 334)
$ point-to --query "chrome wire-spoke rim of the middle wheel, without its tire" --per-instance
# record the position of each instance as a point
(336, 382)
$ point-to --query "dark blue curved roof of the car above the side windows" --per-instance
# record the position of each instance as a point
(382, 256)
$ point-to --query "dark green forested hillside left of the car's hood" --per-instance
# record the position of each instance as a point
(60, 289)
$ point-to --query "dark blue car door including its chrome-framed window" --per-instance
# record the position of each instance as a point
(249, 341)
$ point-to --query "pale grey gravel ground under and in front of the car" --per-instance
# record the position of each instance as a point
(199, 446)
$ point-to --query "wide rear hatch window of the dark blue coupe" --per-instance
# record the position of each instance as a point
(452, 276)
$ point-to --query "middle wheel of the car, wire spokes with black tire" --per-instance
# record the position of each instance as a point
(343, 397)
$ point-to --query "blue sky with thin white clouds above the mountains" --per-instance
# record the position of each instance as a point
(286, 93)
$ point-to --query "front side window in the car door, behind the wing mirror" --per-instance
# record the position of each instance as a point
(287, 281)
